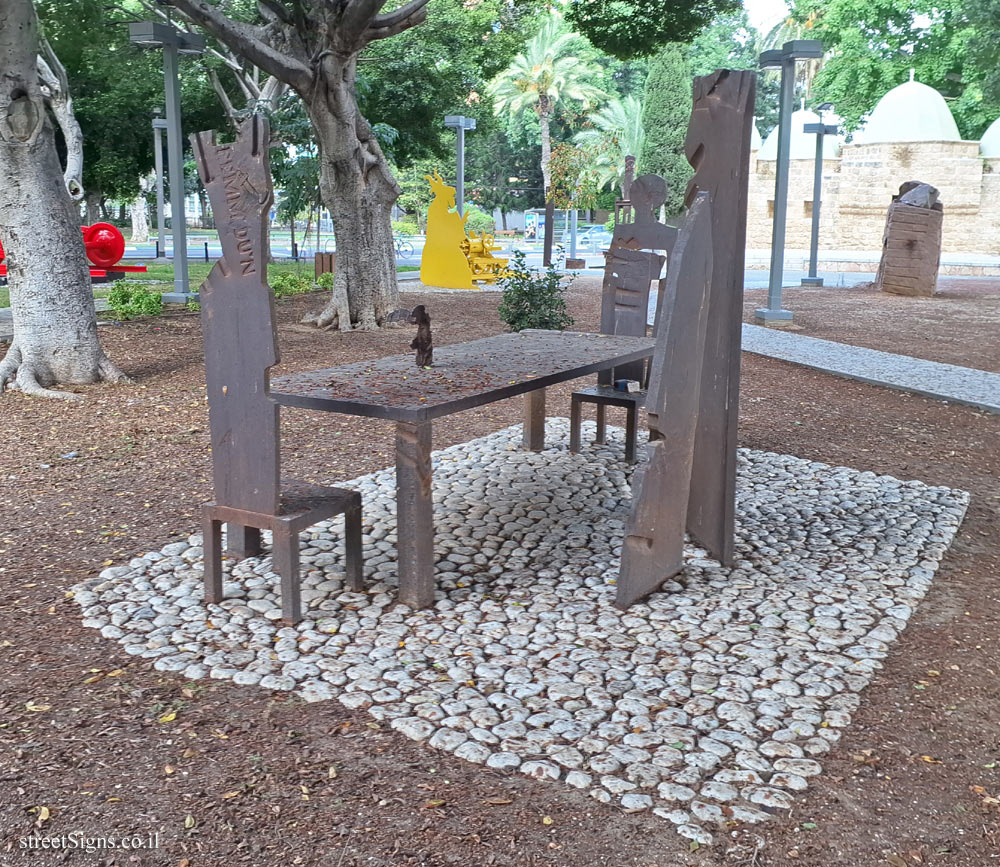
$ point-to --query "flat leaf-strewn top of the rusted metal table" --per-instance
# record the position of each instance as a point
(464, 375)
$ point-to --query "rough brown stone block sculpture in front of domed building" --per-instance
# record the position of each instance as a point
(911, 243)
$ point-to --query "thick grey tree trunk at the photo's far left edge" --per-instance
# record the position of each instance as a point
(55, 326)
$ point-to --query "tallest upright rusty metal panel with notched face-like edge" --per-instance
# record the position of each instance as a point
(718, 147)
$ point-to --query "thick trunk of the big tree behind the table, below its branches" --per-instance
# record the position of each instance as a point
(359, 191)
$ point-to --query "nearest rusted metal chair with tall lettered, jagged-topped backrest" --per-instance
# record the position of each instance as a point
(240, 348)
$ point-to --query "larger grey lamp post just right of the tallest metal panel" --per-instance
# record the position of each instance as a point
(783, 59)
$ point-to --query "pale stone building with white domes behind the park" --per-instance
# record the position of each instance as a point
(910, 135)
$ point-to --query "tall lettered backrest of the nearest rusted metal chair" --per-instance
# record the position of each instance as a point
(237, 310)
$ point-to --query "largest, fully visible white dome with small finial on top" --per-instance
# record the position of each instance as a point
(910, 112)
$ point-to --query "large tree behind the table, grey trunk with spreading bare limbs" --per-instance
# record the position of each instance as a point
(314, 46)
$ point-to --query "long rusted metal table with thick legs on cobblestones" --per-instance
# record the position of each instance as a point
(464, 375)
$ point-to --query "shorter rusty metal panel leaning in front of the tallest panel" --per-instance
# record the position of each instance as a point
(654, 534)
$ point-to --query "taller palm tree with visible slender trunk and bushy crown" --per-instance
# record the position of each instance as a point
(546, 73)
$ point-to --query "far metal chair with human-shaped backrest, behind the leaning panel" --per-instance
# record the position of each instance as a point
(631, 268)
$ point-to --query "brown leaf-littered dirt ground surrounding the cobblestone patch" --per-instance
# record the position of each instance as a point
(244, 776)
